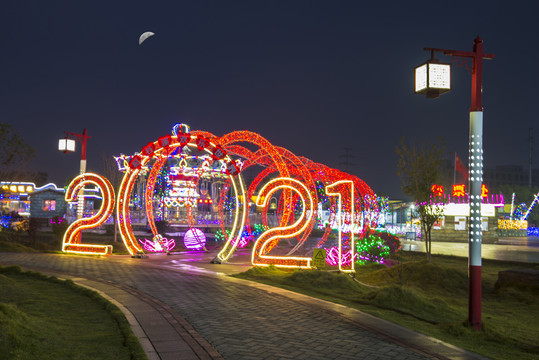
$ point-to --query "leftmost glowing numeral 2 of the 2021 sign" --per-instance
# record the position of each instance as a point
(72, 237)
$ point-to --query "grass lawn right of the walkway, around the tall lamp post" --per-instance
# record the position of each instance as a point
(429, 298)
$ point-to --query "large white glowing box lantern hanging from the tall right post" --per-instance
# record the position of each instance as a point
(432, 78)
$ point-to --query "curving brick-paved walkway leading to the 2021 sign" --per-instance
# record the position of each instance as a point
(182, 307)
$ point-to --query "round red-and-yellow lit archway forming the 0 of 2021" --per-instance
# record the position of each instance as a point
(152, 158)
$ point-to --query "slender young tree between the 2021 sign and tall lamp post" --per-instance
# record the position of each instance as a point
(419, 169)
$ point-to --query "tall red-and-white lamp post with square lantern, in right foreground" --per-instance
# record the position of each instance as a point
(475, 161)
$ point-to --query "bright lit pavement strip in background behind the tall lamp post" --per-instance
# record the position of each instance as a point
(522, 250)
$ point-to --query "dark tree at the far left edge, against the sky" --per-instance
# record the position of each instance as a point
(15, 154)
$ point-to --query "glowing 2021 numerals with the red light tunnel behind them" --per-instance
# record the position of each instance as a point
(340, 186)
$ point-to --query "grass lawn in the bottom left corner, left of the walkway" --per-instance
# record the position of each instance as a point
(45, 318)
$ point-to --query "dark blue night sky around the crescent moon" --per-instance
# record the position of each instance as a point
(314, 77)
